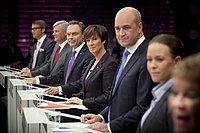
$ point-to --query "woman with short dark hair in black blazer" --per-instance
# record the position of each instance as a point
(97, 80)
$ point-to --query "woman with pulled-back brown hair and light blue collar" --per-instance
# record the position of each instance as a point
(163, 54)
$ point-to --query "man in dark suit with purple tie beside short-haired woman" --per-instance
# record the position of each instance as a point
(82, 59)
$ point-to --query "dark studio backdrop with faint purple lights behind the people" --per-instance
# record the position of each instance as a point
(180, 18)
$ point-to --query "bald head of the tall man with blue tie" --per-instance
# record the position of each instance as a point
(128, 26)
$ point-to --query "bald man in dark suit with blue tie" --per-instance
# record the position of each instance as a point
(131, 90)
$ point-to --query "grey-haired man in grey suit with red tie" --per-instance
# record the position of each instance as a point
(55, 64)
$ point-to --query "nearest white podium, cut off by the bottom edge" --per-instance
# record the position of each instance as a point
(36, 120)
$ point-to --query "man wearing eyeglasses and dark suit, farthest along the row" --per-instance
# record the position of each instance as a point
(42, 49)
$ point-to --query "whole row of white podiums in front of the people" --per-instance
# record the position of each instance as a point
(24, 114)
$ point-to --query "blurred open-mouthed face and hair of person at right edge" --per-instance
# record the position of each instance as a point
(184, 97)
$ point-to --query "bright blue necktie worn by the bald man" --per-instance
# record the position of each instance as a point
(124, 58)
